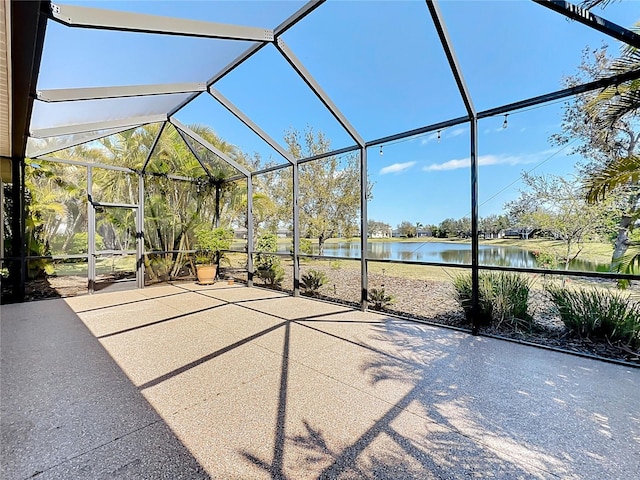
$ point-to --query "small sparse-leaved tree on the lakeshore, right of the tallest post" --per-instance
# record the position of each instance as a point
(557, 206)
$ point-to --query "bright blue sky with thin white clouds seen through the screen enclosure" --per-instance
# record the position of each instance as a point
(381, 64)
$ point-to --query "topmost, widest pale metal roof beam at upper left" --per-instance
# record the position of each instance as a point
(76, 16)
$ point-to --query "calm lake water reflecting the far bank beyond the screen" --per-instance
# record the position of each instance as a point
(447, 252)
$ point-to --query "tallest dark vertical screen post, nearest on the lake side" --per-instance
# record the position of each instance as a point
(475, 283)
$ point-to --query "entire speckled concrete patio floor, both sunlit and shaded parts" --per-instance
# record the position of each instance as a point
(241, 383)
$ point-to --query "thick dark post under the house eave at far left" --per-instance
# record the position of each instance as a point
(18, 265)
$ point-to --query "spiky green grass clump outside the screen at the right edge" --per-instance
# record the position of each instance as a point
(593, 313)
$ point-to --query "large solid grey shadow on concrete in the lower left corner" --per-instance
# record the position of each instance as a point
(67, 409)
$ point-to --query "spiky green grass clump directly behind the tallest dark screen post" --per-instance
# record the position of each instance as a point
(503, 298)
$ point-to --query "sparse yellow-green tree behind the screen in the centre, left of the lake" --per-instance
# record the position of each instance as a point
(329, 200)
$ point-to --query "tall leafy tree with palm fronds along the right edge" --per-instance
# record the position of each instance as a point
(604, 124)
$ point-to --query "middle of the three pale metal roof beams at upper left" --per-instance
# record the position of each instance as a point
(98, 93)
